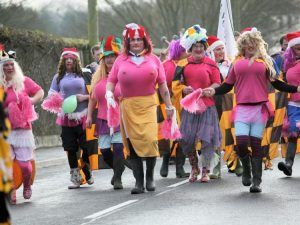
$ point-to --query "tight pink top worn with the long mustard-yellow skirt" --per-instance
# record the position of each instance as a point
(137, 80)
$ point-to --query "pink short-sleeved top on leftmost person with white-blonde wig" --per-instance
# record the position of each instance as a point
(30, 89)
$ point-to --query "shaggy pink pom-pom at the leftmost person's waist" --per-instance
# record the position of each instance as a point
(21, 113)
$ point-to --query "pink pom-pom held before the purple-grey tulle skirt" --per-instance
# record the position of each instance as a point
(193, 102)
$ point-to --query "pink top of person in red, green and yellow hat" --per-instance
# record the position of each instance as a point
(99, 95)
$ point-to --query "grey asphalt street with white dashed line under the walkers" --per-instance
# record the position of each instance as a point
(175, 201)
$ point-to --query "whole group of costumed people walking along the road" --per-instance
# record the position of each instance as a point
(116, 99)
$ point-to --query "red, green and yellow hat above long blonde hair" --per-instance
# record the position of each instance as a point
(110, 45)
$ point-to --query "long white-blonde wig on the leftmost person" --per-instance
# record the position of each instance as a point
(17, 81)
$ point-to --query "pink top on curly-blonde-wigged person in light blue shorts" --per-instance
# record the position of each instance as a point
(250, 81)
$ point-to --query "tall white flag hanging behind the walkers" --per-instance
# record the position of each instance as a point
(225, 28)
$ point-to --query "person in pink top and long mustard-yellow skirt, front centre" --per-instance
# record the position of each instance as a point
(138, 72)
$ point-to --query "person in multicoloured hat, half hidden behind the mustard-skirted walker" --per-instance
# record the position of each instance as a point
(110, 48)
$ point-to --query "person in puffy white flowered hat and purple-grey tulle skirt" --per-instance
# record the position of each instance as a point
(199, 72)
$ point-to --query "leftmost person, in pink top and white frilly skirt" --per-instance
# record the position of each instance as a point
(22, 94)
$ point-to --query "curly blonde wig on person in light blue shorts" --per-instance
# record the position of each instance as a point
(254, 38)
